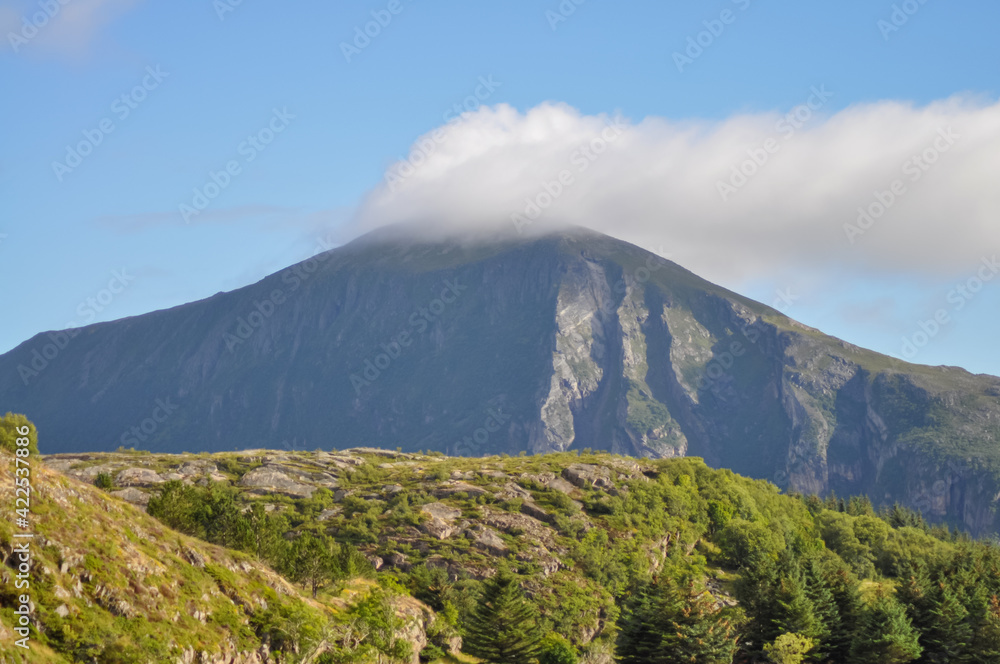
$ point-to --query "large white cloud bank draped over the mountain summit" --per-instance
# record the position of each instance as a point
(657, 185)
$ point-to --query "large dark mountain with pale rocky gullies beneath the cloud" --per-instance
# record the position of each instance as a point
(561, 341)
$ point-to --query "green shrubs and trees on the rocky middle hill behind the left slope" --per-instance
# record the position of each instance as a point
(677, 562)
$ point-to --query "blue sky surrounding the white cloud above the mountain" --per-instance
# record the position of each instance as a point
(221, 76)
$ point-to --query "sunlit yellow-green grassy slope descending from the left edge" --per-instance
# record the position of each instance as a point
(129, 582)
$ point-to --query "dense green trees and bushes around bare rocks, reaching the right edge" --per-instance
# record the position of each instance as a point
(813, 580)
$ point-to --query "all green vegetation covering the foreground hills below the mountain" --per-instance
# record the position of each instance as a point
(559, 558)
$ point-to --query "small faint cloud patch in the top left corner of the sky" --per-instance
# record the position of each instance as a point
(66, 29)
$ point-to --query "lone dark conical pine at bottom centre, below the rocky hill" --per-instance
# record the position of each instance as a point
(503, 628)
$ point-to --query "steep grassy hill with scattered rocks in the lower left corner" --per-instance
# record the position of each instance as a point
(110, 584)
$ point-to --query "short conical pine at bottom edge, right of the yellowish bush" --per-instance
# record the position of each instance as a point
(885, 634)
